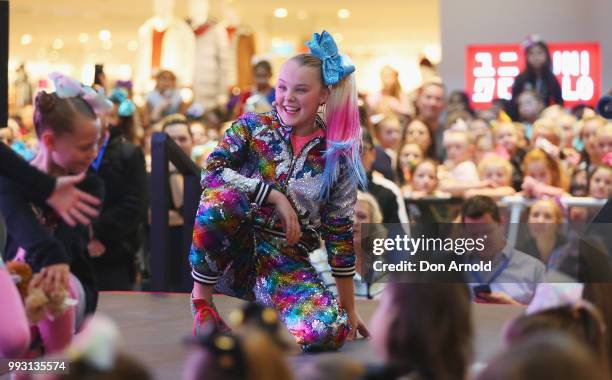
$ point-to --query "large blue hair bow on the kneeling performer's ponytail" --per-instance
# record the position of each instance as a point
(335, 66)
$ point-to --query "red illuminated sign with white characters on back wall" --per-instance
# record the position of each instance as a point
(490, 71)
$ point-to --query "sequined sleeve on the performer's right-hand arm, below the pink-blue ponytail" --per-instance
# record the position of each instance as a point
(337, 225)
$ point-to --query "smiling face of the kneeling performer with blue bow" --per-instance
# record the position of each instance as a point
(299, 92)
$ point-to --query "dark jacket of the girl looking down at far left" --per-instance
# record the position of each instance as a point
(46, 238)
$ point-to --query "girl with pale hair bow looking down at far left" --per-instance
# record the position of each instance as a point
(68, 130)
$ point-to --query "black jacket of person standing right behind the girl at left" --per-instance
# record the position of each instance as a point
(124, 174)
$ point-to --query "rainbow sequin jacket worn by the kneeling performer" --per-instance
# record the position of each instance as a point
(255, 156)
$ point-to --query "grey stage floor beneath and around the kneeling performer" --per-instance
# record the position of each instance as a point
(154, 324)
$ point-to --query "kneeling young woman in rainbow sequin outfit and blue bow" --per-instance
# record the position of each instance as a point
(275, 185)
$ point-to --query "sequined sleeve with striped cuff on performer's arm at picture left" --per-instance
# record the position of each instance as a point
(223, 165)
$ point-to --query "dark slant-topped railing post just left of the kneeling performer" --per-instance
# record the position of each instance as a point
(163, 151)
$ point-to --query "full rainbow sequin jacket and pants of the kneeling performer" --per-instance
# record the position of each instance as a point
(242, 242)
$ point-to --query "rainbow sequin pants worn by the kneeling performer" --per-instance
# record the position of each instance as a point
(243, 260)
